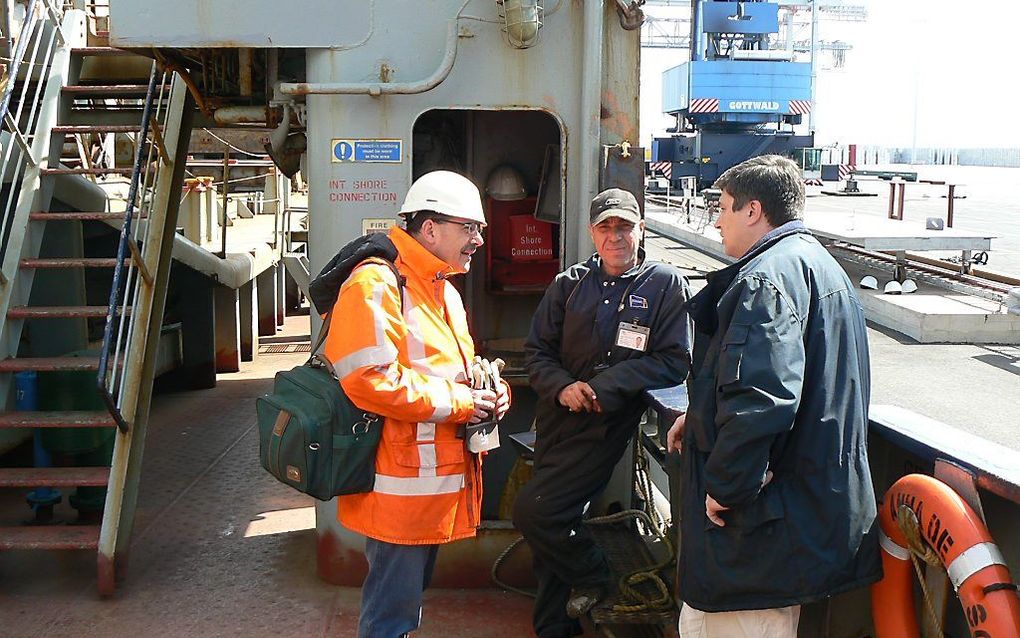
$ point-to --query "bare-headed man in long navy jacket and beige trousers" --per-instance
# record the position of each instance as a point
(778, 506)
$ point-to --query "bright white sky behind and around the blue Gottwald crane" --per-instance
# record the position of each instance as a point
(961, 57)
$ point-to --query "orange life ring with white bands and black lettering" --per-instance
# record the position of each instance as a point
(958, 536)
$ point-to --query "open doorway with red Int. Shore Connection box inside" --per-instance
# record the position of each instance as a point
(516, 158)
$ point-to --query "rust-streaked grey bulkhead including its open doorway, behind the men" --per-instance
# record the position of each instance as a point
(546, 114)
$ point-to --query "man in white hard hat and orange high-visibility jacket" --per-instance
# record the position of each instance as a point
(409, 361)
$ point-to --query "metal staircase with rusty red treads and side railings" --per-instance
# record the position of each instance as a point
(44, 108)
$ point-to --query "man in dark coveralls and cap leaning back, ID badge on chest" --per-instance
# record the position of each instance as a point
(606, 330)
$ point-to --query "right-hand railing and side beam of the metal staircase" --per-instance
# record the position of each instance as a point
(137, 304)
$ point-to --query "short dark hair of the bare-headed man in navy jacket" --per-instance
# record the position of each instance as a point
(776, 182)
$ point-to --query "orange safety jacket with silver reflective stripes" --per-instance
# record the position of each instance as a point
(412, 369)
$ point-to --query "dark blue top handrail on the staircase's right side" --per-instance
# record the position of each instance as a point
(122, 272)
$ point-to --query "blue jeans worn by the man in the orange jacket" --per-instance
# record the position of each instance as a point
(391, 597)
